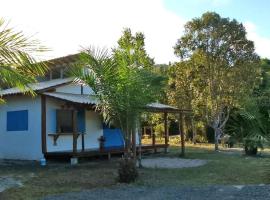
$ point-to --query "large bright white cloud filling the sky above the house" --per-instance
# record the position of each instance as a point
(65, 25)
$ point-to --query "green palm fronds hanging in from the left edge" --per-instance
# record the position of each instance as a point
(18, 65)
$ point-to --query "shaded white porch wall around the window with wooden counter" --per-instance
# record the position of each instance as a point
(65, 143)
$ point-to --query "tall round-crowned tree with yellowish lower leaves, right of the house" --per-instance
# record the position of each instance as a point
(223, 65)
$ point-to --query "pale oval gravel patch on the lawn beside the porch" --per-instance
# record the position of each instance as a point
(172, 162)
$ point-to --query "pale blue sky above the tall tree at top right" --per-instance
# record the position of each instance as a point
(257, 12)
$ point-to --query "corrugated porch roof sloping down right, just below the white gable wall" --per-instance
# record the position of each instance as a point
(76, 98)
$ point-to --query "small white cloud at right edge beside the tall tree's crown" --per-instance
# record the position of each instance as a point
(262, 44)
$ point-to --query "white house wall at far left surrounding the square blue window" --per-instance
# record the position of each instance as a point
(24, 145)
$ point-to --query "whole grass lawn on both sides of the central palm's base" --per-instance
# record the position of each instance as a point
(222, 168)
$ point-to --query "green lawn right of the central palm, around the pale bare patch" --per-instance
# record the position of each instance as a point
(222, 168)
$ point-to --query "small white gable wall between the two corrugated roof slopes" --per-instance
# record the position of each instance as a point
(74, 89)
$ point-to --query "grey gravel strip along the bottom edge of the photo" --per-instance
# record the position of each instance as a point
(251, 192)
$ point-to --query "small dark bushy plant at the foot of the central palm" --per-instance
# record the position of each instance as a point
(127, 170)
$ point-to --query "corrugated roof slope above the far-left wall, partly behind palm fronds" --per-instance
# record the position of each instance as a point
(37, 86)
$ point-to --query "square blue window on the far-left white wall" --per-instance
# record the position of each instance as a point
(17, 120)
